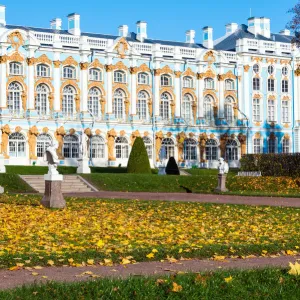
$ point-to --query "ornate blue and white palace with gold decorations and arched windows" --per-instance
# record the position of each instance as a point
(222, 97)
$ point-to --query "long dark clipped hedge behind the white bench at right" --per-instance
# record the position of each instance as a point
(272, 164)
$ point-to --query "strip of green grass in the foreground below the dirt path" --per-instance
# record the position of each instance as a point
(254, 284)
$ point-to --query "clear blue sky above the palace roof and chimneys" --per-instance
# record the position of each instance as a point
(166, 19)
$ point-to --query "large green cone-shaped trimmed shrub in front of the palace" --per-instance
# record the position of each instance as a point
(138, 162)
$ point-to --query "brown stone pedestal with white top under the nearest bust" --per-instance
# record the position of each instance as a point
(53, 197)
